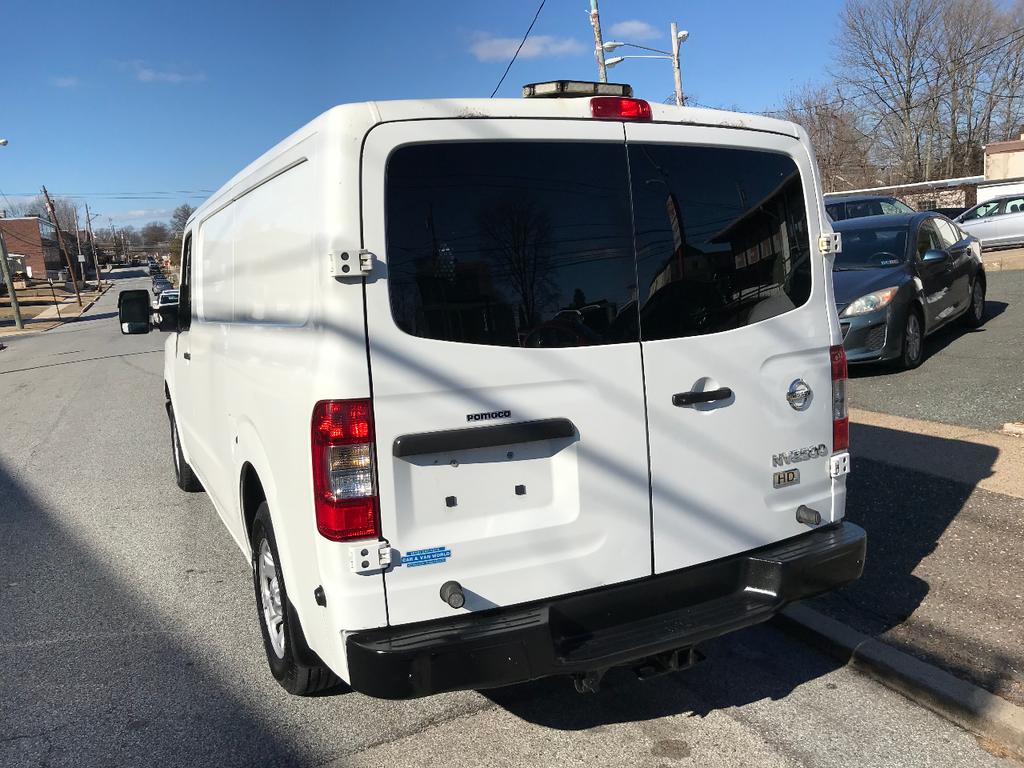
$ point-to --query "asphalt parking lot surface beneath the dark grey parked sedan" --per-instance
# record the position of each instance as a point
(971, 378)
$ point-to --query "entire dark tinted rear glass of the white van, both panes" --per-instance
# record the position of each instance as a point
(558, 244)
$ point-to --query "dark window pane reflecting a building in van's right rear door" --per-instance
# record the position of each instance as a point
(722, 238)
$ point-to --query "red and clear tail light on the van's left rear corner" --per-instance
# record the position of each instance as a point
(346, 471)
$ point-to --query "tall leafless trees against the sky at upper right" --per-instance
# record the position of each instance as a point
(934, 80)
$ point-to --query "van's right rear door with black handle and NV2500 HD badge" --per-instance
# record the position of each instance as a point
(734, 317)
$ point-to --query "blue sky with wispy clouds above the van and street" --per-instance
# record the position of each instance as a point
(140, 107)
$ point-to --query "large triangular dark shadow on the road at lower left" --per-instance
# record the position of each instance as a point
(91, 676)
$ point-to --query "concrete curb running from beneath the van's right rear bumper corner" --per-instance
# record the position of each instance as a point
(971, 708)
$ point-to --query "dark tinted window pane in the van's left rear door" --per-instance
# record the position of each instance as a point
(511, 244)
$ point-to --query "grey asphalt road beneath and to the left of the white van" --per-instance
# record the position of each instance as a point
(131, 636)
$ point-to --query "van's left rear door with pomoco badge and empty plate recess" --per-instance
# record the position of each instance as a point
(505, 361)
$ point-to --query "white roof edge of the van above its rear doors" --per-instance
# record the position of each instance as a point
(356, 119)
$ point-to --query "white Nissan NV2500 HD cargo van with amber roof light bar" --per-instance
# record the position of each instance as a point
(496, 390)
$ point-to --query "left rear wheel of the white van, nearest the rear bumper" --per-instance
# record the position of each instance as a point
(293, 664)
